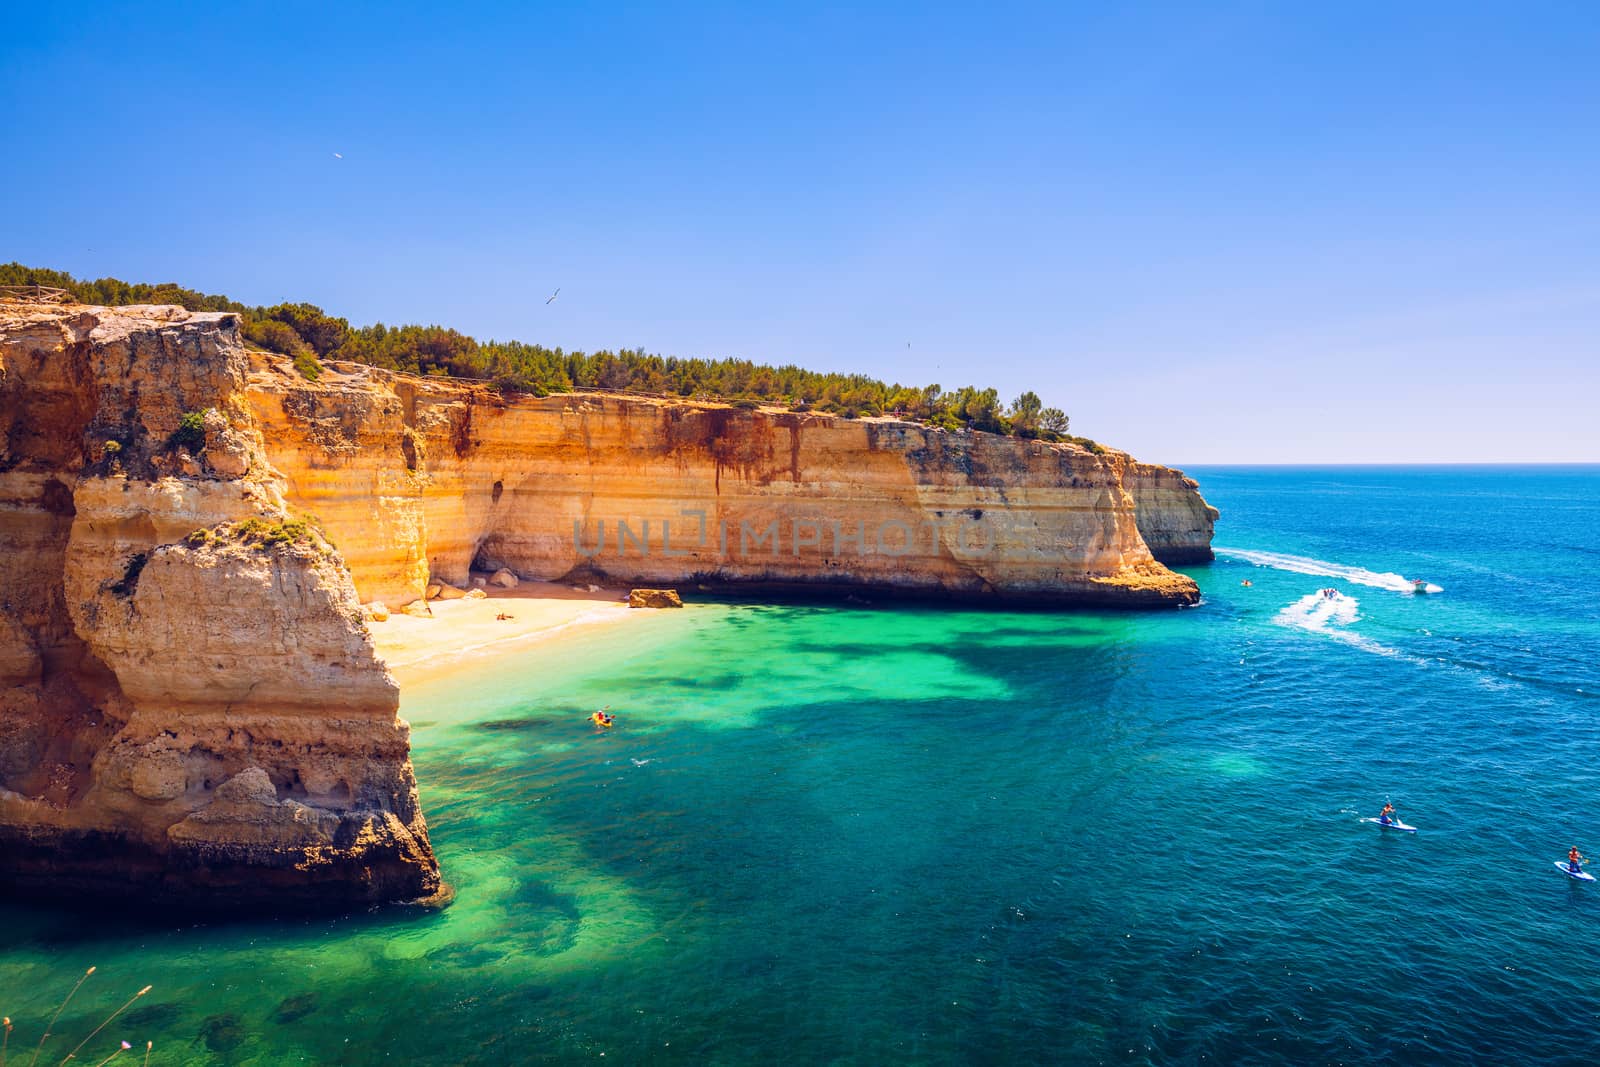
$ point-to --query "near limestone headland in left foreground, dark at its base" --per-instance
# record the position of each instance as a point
(193, 711)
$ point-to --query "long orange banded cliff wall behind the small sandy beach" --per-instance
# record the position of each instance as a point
(417, 479)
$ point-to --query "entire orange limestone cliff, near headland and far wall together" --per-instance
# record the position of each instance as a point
(191, 705)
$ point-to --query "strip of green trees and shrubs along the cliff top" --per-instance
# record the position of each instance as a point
(308, 335)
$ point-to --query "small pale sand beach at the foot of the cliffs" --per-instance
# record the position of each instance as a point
(465, 631)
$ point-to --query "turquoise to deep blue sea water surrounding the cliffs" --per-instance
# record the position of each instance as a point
(924, 836)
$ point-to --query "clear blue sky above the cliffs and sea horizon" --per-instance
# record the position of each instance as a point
(1212, 233)
